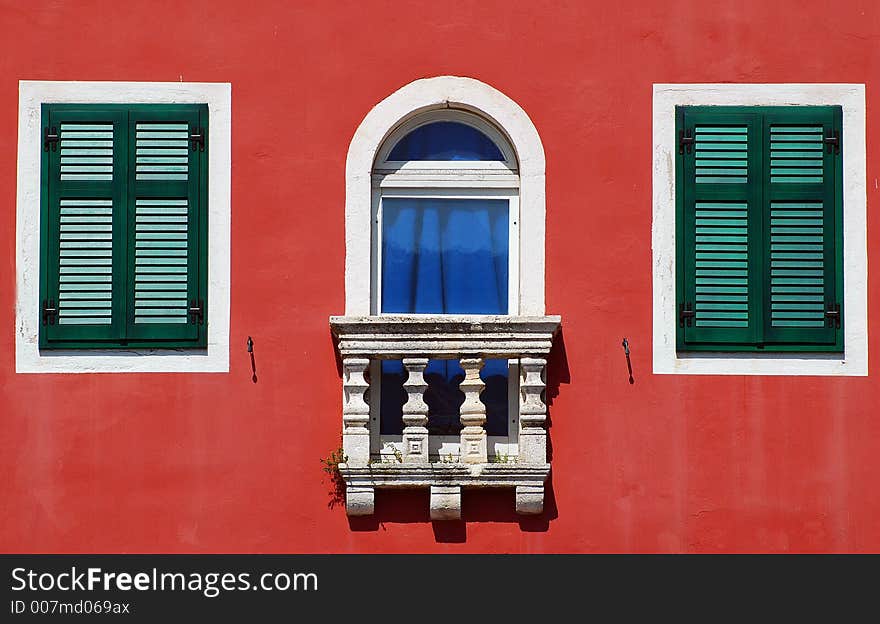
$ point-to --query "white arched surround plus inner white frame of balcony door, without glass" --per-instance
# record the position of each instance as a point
(520, 178)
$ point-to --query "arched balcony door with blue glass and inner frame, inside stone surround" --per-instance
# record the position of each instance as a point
(445, 232)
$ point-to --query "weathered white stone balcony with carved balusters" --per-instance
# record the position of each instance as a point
(416, 339)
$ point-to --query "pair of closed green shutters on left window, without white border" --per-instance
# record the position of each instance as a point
(124, 212)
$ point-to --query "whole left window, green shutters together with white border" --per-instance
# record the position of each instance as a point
(158, 212)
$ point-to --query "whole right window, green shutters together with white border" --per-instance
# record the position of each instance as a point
(774, 323)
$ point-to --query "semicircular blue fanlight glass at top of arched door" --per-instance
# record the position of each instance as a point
(445, 140)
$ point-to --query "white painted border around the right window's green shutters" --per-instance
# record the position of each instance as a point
(855, 253)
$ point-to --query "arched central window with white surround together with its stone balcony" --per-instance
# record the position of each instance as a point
(444, 343)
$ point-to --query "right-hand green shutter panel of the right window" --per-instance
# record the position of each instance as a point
(801, 226)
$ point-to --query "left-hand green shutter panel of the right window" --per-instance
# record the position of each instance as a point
(719, 212)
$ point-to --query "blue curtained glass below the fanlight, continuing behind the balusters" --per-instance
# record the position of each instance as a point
(444, 256)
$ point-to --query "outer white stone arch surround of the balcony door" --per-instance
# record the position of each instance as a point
(414, 99)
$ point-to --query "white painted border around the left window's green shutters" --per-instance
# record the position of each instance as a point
(28, 357)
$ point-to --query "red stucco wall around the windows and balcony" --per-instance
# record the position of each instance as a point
(216, 463)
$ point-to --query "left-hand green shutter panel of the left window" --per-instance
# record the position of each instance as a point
(83, 220)
